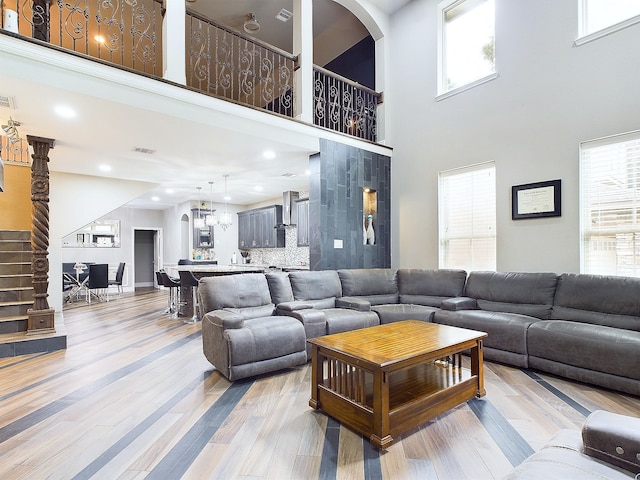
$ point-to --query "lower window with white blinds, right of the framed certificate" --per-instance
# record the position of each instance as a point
(610, 205)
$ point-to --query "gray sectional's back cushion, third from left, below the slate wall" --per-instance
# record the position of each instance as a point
(320, 288)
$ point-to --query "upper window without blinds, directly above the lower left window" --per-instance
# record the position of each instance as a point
(466, 43)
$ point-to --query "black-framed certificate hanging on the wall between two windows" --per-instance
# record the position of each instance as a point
(535, 200)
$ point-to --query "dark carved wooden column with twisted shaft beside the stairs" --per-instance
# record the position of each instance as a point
(40, 318)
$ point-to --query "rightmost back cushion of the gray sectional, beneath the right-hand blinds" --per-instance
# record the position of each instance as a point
(599, 299)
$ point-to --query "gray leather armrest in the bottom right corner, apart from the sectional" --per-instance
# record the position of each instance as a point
(613, 438)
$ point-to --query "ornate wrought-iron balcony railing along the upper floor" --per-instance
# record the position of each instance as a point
(218, 60)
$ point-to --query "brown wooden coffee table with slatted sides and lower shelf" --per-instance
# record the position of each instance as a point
(385, 380)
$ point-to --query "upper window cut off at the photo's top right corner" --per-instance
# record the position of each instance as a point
(602, 17)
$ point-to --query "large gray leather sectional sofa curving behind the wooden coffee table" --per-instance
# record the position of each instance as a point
(582, 327)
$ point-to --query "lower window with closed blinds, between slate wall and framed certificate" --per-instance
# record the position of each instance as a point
(467, 218)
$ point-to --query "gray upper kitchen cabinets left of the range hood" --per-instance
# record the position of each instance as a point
(257, 228)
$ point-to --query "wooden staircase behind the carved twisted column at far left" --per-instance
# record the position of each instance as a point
(16, 297)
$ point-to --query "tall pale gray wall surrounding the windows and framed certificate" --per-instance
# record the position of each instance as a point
(549, 97)
